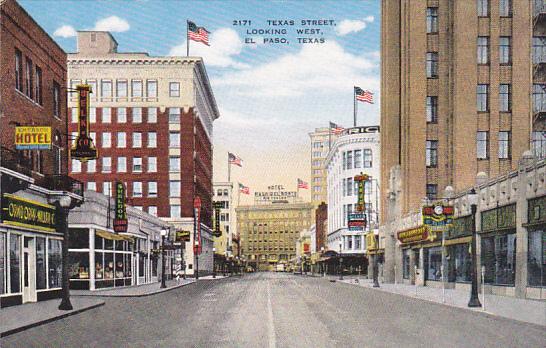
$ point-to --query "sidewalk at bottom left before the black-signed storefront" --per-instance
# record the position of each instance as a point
(22, 317)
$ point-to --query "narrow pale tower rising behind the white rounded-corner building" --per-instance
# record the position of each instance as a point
(321, 141)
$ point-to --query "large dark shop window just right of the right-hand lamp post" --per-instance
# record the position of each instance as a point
(498, 256)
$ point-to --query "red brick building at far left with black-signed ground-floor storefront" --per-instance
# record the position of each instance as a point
(32, 182)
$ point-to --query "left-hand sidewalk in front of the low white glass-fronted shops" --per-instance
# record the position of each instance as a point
(133, 291)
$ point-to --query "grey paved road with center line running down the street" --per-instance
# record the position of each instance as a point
(278, 310)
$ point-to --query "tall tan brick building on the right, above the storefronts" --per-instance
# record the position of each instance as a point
(463, 91)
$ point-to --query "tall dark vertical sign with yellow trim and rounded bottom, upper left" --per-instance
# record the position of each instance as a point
(83, 148)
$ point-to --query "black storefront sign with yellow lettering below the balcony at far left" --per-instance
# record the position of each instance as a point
(24, 212)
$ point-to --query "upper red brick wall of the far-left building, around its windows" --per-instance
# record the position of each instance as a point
(19, 30)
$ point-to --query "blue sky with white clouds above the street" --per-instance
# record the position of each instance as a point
(270, 95)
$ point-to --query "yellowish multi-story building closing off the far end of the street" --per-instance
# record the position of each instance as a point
(268, 232)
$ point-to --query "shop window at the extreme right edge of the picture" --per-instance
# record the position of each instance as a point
(536, 269)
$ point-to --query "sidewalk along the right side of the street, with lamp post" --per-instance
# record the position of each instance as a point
(530, 311)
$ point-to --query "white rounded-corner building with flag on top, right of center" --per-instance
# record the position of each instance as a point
(355, 151)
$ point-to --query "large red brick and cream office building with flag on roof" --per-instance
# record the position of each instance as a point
(151, 119)
